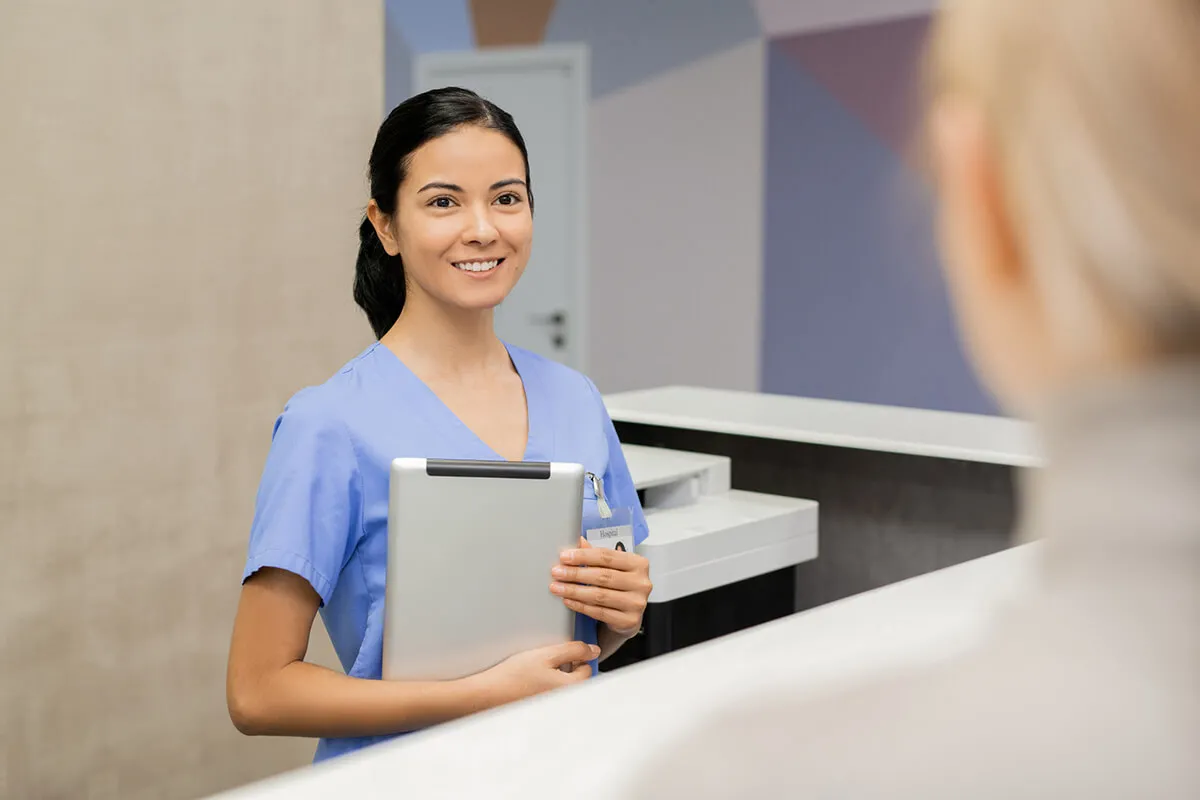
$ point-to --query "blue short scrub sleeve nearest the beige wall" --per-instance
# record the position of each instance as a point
(309, 504)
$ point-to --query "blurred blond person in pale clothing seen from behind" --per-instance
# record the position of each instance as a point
(1065, 139)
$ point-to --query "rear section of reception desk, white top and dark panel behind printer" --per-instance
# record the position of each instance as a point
(902, 492)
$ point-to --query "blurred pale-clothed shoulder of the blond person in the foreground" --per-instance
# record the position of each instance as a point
(1013, 720)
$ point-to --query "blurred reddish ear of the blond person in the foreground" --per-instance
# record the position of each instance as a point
(976, 213)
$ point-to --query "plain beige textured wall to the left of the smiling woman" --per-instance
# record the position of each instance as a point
(179, 195)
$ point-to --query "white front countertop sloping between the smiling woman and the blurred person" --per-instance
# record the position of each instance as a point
(547, 748)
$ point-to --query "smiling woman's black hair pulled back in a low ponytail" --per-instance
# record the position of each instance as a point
(380, 286)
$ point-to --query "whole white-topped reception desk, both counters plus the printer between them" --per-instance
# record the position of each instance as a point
(890, 528)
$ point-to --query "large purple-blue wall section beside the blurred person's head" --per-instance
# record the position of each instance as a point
(854, 305)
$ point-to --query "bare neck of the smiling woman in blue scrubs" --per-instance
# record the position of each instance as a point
(437, 340)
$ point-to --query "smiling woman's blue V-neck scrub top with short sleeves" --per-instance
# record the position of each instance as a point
(322, 507)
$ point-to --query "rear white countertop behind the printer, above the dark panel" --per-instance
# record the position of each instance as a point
(889, 429)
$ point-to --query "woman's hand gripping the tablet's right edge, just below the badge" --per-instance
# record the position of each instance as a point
(611, 587)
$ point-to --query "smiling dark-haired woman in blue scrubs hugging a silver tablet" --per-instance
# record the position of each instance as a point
(446, 239)
